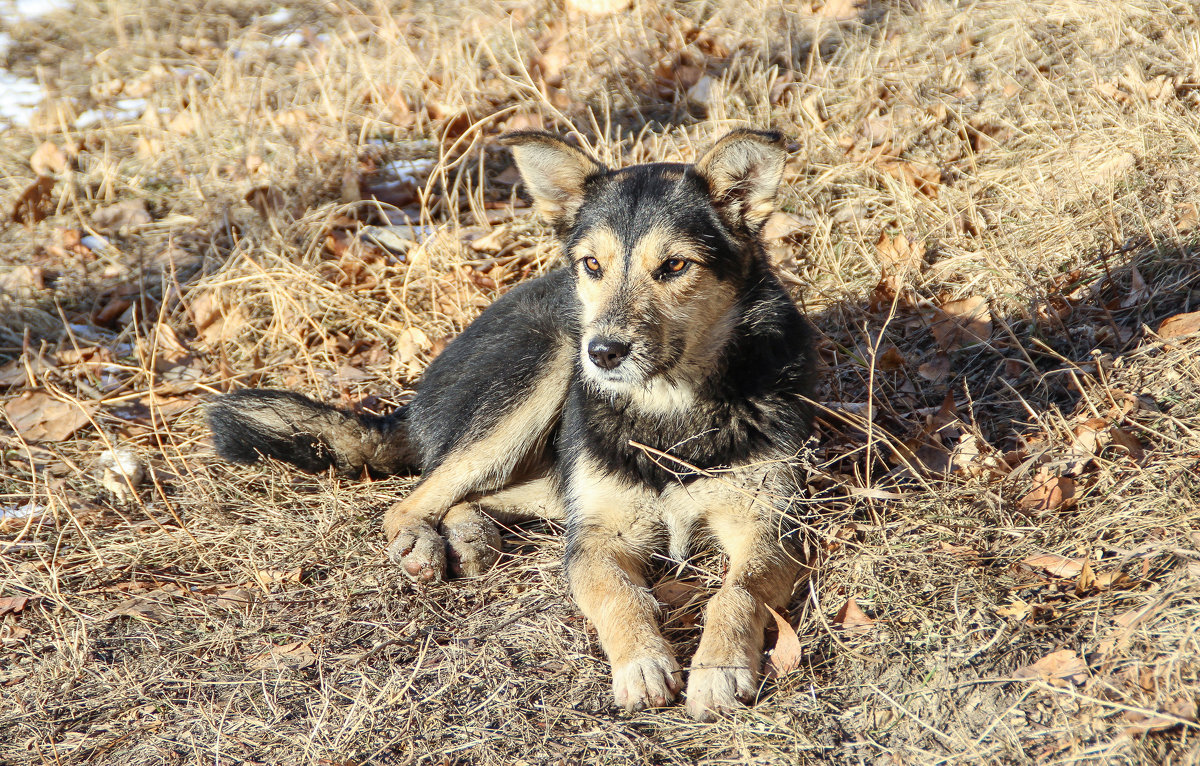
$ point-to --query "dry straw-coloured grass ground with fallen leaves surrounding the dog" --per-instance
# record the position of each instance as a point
(992, 216)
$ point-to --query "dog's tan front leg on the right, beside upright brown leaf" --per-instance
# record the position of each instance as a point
(763, 572)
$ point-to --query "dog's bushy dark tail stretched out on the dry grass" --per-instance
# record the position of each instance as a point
(314, 436)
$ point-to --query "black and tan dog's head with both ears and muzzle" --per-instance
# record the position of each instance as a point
(661, 254)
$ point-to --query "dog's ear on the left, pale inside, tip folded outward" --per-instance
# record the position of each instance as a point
(555, 173)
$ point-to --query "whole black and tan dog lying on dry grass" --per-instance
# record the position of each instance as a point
(652, 392)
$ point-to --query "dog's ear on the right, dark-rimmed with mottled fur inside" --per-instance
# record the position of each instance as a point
(743, 172)
